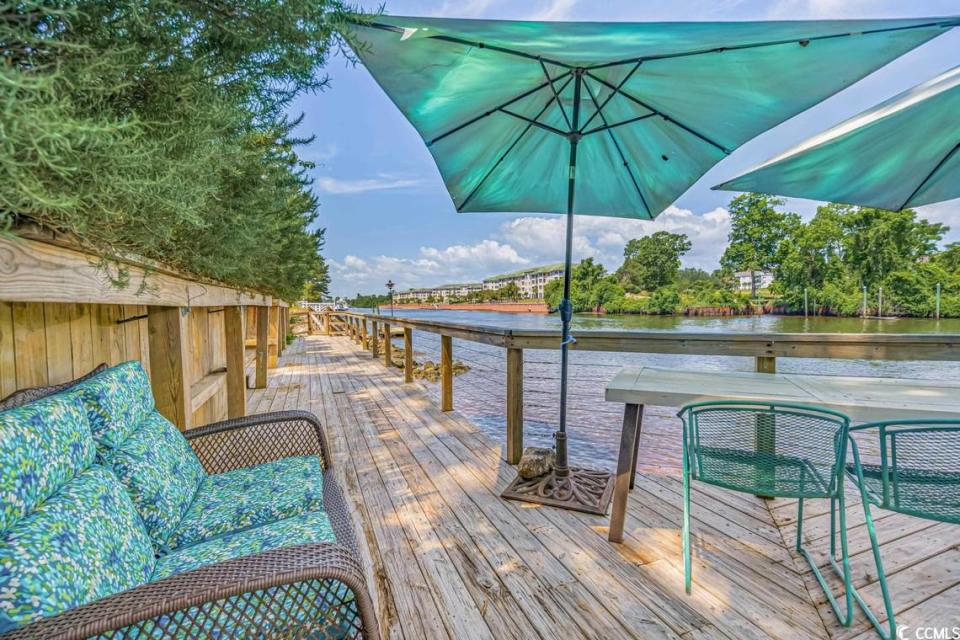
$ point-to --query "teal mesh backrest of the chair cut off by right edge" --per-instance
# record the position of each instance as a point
(916, 468)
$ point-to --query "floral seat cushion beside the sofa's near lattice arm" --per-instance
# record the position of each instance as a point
(308, 527)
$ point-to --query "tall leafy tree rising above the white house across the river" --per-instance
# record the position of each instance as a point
(757, 229)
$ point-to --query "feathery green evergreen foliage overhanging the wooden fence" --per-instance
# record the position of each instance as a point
(158, 128)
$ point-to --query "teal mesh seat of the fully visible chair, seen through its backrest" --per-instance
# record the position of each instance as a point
(766, 473)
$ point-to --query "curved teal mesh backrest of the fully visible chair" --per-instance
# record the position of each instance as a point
(767, 448)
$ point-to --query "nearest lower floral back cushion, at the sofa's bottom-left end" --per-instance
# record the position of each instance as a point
(82, 544)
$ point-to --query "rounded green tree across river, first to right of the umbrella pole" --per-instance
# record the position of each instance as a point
(652, 261)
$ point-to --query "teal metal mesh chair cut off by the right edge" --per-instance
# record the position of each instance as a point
(918, 474)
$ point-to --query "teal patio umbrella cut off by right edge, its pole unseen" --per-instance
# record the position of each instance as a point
(904, 152)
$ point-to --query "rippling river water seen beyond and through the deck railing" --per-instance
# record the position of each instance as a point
(594, 425)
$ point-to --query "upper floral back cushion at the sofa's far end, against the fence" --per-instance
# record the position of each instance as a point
(117, 401)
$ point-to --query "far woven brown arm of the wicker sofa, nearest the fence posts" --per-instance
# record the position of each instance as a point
(264, 437)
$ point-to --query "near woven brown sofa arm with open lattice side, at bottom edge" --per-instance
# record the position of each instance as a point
(287, 573)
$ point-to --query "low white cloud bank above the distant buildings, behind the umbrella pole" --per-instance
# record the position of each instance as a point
(530, 241)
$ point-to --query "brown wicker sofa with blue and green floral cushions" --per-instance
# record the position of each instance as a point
(113, 523)
